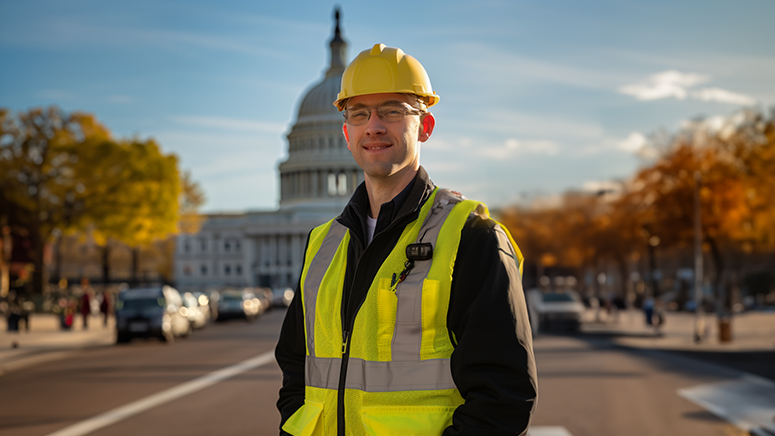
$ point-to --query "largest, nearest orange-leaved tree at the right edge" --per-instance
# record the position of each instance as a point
(735, 161)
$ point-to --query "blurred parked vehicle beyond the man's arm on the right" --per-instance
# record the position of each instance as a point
(556, 310)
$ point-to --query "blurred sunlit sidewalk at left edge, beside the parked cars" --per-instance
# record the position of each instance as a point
(45, 341)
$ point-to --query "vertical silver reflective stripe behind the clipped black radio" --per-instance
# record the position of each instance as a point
(407, 336)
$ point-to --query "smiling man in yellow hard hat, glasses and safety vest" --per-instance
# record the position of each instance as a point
(409, 317)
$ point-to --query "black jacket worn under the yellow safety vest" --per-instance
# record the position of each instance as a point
(492, 364)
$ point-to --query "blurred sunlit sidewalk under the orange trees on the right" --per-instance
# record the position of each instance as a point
(751, 331)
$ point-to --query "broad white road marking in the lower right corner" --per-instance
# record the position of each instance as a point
(748, 403)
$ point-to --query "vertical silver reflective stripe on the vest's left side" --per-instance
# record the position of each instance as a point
(317, 270)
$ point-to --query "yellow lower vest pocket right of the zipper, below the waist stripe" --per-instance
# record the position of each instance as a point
(407, 420)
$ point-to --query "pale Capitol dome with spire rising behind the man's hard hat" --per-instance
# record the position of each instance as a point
(320, 170)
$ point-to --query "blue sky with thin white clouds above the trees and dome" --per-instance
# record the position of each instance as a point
(536, 97)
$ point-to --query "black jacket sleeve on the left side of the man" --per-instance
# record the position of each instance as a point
(290, 353)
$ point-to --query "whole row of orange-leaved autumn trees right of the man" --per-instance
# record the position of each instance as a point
(735, 159)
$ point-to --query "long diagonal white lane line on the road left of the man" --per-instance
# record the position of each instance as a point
(173, 393)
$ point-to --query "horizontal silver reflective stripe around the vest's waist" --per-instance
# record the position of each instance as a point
(370, 376)
